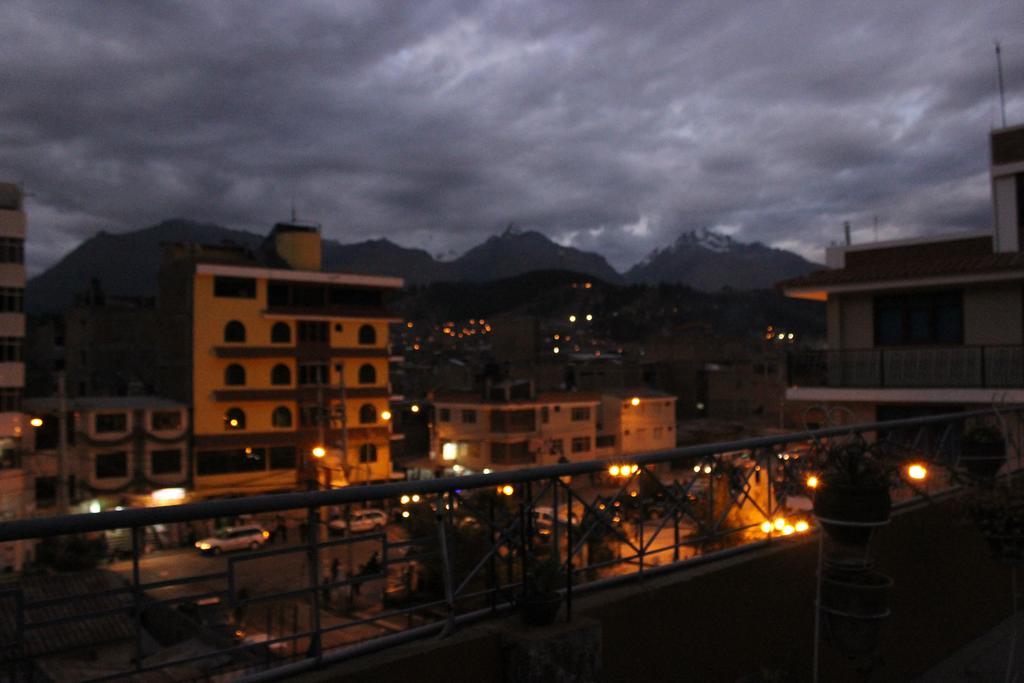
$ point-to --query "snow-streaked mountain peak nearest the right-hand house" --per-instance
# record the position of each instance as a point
(710, 262)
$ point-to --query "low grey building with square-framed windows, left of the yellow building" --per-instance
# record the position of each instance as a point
(119, 451)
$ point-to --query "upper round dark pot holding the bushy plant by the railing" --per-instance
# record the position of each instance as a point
(849, 515)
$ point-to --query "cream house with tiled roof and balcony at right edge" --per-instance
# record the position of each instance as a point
(928, 325)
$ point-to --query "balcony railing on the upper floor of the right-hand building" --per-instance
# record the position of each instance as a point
(935, 368)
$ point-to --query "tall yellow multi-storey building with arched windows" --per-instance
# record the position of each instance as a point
(286, 366)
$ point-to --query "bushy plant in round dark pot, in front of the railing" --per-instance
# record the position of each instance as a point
(852, 497)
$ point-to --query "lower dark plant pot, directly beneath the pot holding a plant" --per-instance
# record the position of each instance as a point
(854, 605)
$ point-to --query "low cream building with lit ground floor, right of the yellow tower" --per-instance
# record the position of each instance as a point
(509, 425)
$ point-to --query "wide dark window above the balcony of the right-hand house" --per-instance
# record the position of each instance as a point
(919, 320)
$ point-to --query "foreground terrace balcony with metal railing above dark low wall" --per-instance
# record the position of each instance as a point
(700, 560)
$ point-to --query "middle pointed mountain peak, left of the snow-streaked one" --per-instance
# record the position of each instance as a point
(514, 253)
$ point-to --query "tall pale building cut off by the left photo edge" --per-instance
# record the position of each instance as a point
(13, 483)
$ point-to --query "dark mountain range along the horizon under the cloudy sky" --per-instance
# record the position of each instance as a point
(126, 265)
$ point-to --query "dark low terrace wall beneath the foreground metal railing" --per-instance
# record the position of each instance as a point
(728, 622)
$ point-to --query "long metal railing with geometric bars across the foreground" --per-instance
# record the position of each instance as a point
(448, 552)
